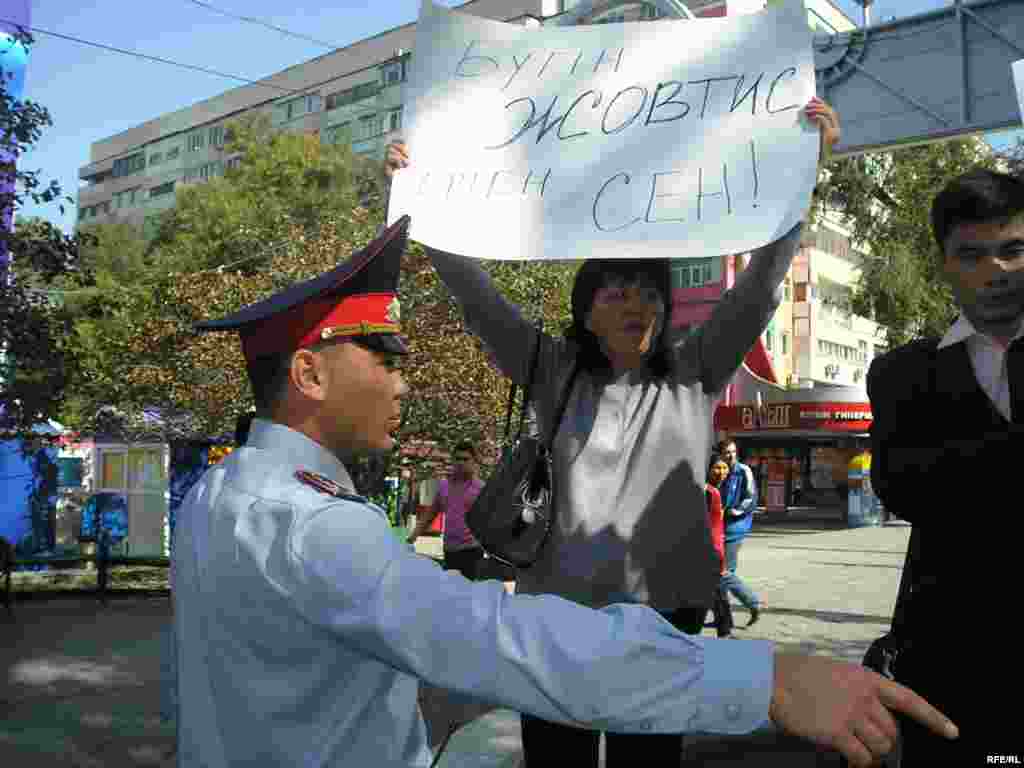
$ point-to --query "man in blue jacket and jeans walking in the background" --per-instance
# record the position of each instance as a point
(740, 497)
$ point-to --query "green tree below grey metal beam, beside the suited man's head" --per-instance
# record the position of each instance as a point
(886, 201)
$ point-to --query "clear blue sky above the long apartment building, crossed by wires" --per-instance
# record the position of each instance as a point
(94, 94)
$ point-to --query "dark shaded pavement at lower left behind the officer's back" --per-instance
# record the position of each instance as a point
(80, 685)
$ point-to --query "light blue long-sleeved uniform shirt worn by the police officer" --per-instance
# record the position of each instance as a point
(304, 626)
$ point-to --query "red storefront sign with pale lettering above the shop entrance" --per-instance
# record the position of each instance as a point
(832, 417)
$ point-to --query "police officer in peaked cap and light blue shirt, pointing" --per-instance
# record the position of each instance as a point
(305, 625)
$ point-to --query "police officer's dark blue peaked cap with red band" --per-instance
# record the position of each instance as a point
(356, 302)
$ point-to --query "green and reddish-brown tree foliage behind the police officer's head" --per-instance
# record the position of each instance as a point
(292, 209)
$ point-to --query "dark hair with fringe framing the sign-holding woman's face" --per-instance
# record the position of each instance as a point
(590, 279)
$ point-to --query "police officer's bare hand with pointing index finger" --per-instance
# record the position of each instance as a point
(846, 707)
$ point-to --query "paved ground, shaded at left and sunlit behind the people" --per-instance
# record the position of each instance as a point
(81, 682)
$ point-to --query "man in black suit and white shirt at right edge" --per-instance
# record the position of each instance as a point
(948, 440)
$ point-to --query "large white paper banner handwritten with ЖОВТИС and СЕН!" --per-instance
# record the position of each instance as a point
(638, 140)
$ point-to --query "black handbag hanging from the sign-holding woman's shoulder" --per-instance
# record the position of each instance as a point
(513, 517)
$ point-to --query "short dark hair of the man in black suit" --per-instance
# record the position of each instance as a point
(977, 196)
